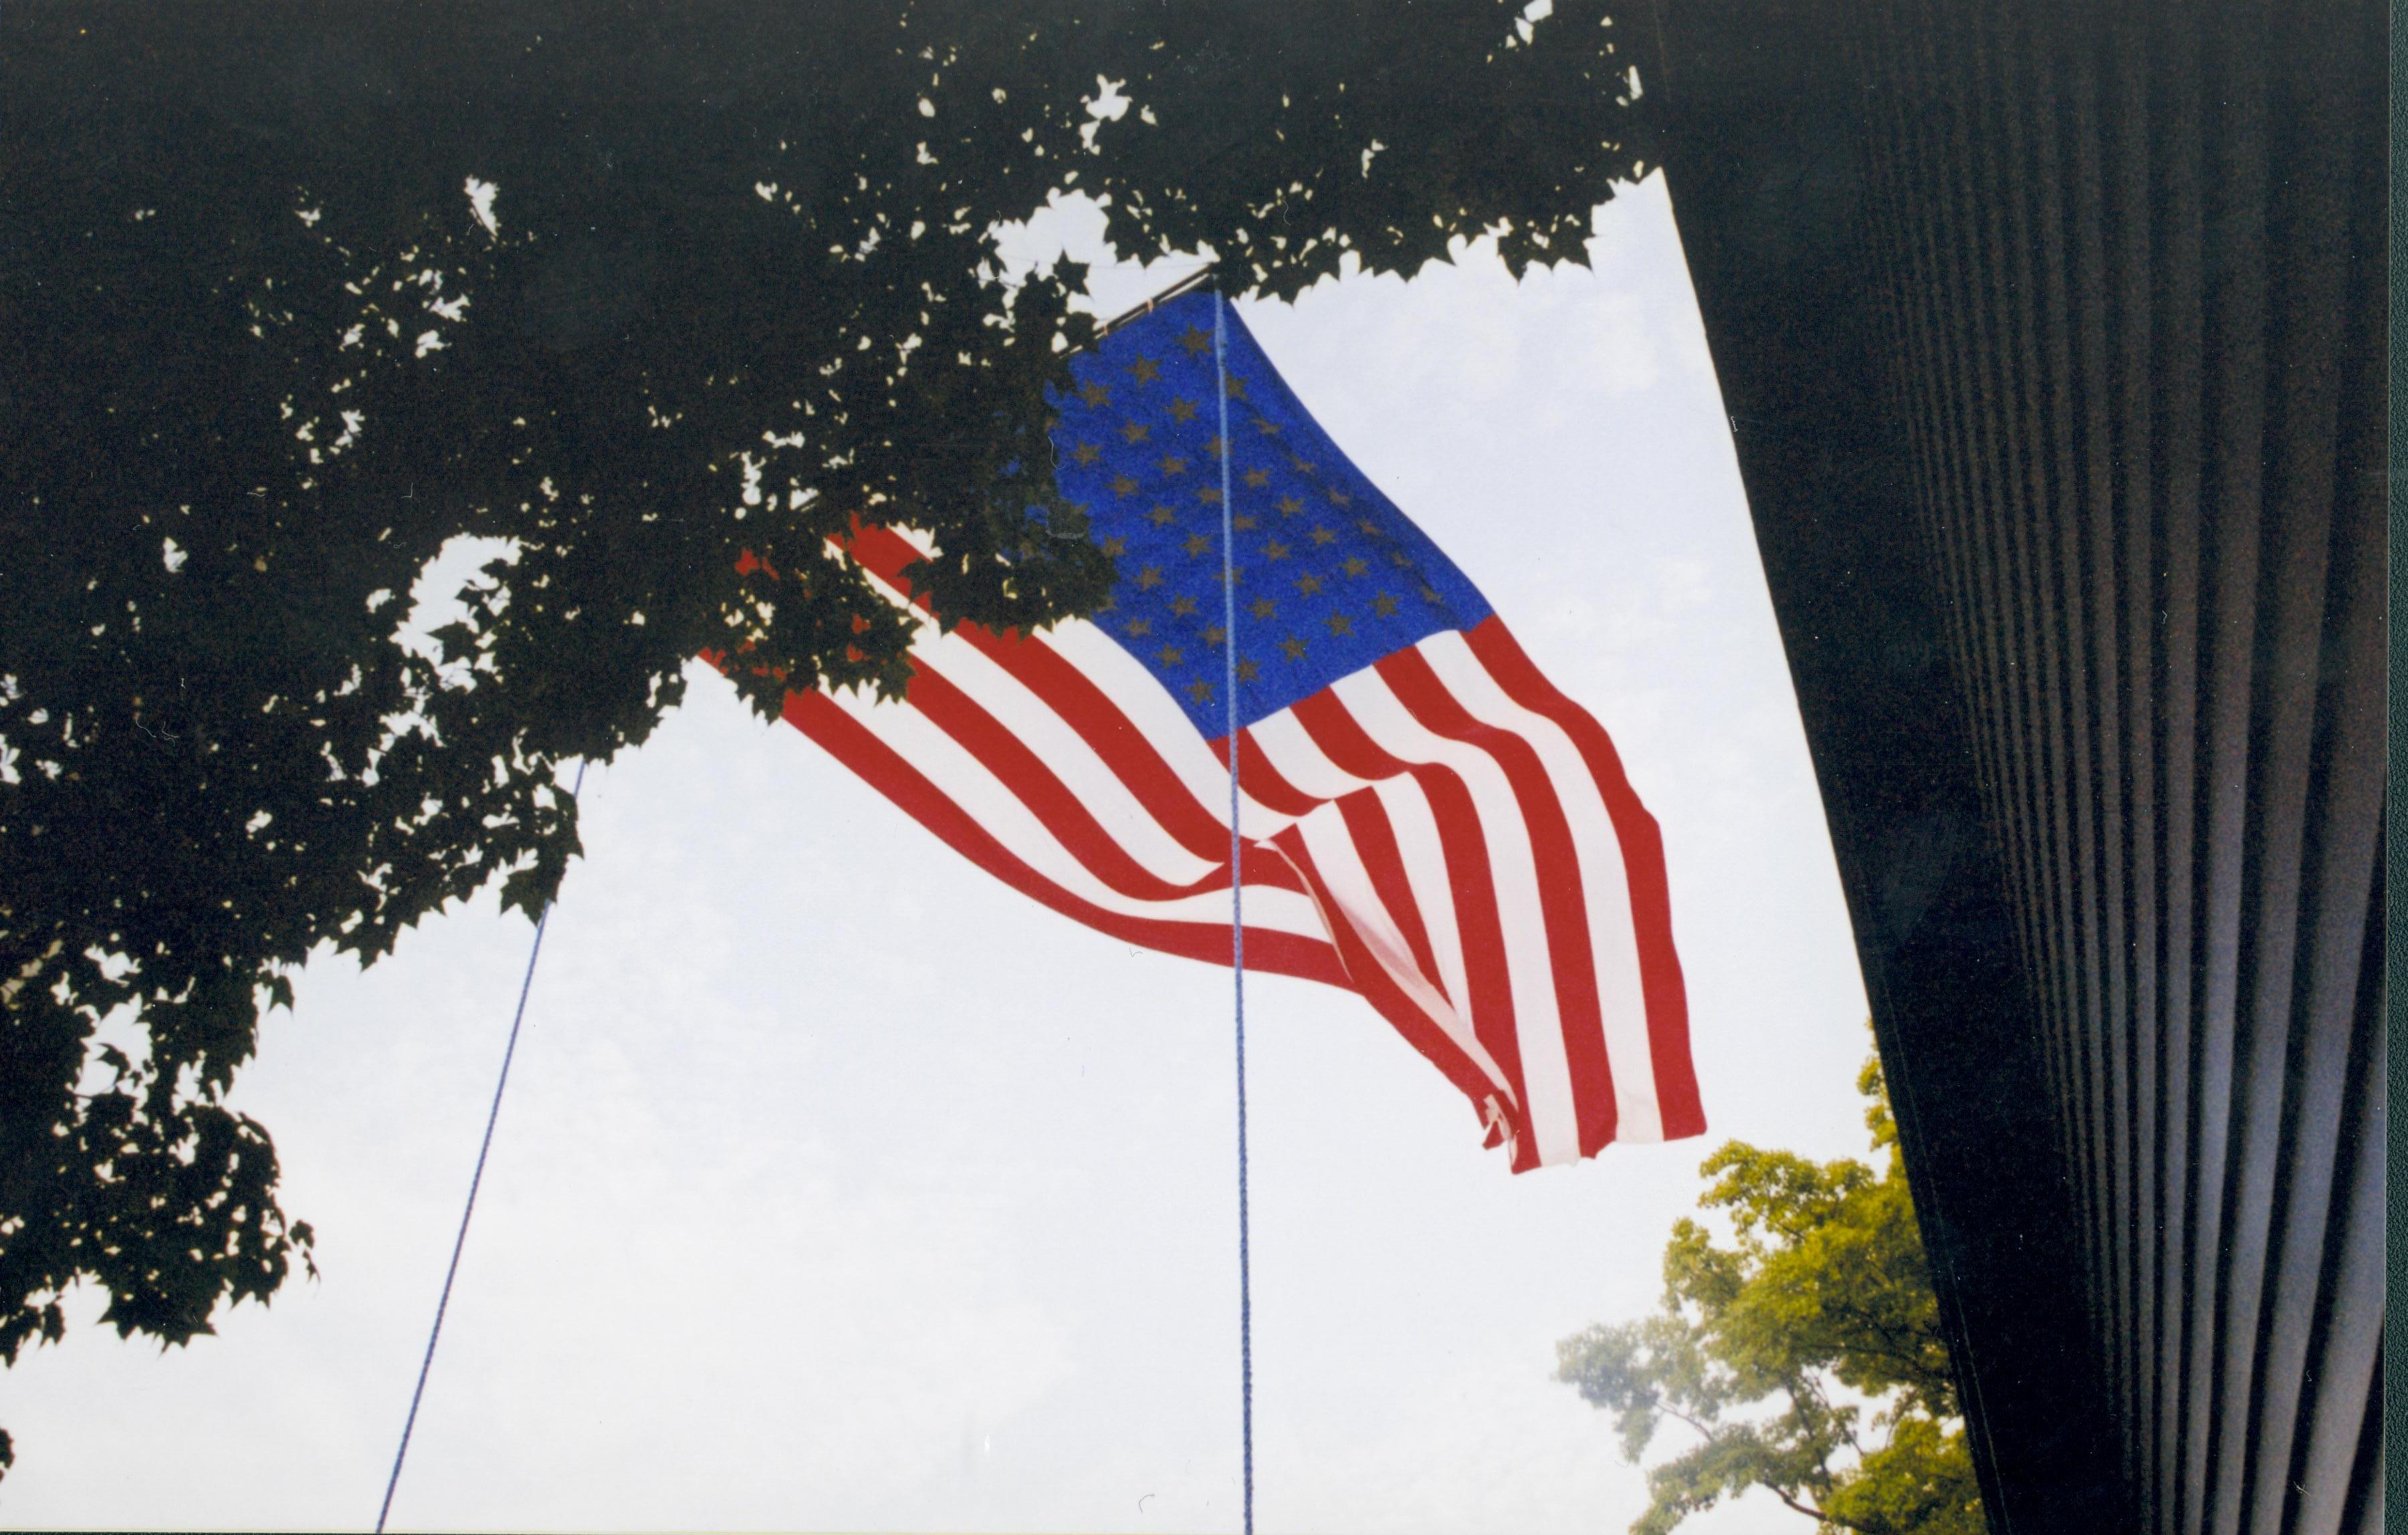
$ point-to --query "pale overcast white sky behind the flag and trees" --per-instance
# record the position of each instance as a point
(844, 1190)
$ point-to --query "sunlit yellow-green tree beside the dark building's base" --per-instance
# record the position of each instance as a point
(1802, 1358)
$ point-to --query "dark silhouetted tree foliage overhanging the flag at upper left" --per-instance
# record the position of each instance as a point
(300, 295)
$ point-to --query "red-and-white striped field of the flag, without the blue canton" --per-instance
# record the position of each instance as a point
(1453, 879)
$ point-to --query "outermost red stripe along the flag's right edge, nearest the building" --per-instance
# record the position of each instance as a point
(1643, 865)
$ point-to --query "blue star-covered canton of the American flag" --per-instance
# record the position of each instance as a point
(1330, 574)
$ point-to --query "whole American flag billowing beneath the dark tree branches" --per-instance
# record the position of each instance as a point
(1427, 822)
